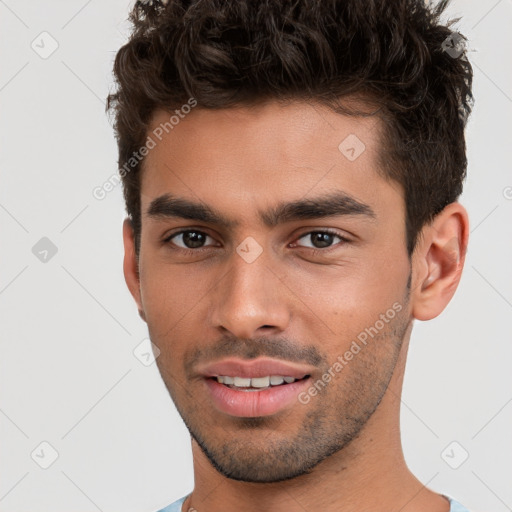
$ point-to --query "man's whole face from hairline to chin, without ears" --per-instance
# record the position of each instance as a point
(270, 251)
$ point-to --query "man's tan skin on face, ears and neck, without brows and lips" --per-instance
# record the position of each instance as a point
(341, 451)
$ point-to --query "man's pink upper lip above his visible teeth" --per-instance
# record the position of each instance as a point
(260, 367)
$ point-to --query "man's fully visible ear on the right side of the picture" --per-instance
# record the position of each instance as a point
(438, 261)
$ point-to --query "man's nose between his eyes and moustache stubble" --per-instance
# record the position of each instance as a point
(250, 300)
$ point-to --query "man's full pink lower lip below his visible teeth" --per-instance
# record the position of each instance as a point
(250, 404)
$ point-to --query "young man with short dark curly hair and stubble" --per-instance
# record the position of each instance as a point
(291, 172)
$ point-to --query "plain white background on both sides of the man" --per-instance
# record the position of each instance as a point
(68, 327)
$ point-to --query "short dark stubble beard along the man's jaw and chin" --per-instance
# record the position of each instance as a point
(268, 449)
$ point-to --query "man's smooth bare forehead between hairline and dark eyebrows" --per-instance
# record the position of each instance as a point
(245, 157)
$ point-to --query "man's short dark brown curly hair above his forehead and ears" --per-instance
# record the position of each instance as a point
(224, 53)
